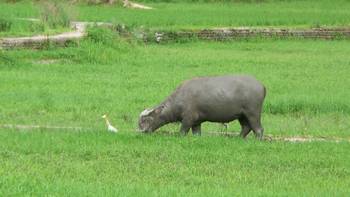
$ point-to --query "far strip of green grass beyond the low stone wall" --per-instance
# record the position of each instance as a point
(207, 15)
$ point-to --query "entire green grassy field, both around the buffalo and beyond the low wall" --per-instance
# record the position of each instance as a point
(307, 95)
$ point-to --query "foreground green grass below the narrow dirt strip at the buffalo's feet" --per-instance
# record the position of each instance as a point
(103, 164)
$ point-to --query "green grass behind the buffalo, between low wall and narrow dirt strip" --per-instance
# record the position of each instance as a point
(306, 82)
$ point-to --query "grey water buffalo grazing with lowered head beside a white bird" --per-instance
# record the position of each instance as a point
(215, 99)
